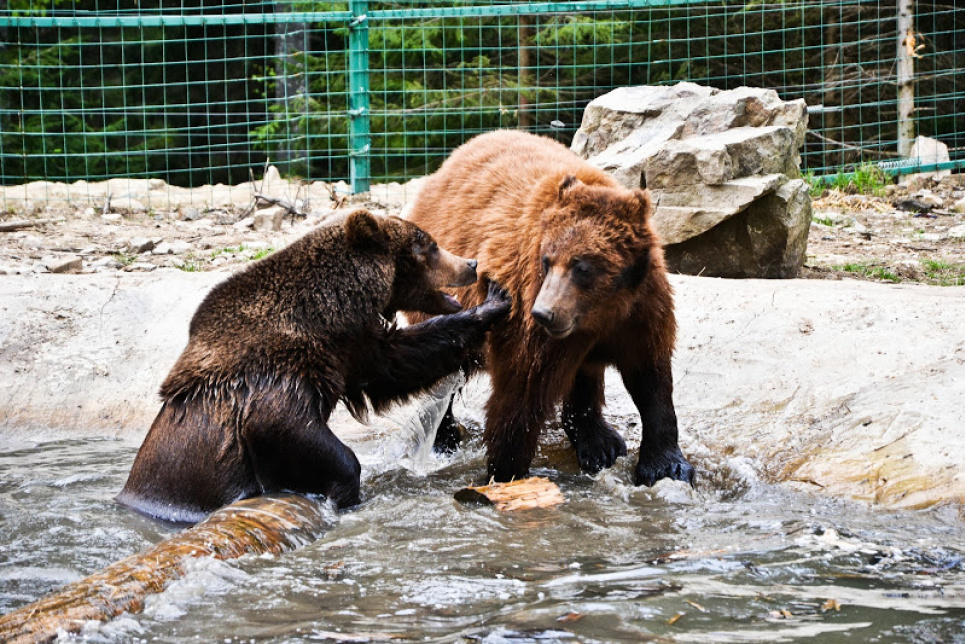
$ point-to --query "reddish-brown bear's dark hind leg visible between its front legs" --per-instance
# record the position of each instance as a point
(597, 444)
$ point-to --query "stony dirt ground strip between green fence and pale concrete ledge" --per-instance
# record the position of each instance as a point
(913, 231)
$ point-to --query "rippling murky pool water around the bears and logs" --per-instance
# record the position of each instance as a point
(737, 561)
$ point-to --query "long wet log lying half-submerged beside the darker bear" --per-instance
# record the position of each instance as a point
(266, 524)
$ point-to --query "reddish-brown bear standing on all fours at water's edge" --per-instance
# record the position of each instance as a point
(589, 290)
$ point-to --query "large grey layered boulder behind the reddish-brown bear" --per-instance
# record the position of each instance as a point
(723, 167)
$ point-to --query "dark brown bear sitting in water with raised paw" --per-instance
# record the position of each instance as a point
(272, 349)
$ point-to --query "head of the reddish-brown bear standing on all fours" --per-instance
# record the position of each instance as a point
(596, 250)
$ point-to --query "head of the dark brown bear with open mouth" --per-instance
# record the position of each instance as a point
(420, 268)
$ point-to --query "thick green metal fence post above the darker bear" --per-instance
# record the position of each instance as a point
(360, 139)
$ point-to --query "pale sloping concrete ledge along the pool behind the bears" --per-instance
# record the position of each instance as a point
(850, 388)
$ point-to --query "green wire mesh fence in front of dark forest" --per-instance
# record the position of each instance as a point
(372, 92)
